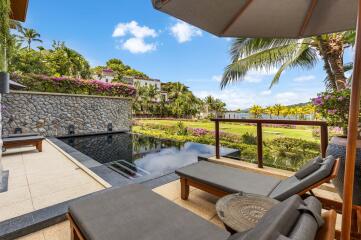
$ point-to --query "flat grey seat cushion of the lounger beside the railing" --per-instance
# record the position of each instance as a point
(229, 179)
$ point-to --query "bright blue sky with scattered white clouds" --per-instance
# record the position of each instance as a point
(163, 48)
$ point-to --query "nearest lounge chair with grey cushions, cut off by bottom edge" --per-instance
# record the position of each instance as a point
(136, 213)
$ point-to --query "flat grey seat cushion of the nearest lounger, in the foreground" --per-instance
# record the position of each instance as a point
(136, 213)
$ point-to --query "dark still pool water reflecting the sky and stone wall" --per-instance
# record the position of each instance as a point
(133, 155)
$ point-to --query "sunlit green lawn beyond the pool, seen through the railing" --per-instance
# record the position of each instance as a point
(268, 132)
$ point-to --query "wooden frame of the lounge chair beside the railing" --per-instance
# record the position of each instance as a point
(187, 182)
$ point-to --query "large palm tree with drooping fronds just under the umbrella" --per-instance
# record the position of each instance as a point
(265, 54)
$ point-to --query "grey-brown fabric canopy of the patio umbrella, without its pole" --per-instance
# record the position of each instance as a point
(264, 18)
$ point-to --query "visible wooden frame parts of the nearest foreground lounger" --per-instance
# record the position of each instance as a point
(327, 232)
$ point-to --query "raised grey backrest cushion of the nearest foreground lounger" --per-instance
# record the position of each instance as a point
(291, 219)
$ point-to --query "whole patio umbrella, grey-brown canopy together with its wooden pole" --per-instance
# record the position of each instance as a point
(284, 19)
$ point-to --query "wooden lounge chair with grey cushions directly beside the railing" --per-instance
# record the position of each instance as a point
(221, 180)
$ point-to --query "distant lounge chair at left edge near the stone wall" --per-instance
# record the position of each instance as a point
(21, 141)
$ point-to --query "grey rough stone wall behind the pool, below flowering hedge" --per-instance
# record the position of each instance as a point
(50, 114)
